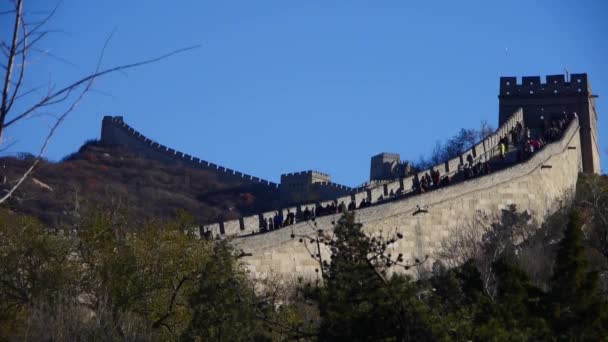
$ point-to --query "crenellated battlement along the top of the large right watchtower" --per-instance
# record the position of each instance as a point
(555, 85)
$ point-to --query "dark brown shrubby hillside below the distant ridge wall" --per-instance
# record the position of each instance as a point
(111, 178)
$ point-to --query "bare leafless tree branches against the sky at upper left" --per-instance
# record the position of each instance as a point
(18, 103)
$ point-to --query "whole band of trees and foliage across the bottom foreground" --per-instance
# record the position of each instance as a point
(159, 282)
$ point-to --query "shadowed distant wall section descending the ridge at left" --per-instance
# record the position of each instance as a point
(115, 131)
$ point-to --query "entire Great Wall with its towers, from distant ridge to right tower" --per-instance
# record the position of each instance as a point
(536, 185)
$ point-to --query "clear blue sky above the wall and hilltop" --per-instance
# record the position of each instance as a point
(283, 86)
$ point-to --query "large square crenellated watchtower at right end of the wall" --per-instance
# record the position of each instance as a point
(558, 95)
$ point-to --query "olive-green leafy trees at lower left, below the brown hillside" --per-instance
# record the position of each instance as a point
(148, 276)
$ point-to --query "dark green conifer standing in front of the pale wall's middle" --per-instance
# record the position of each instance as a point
(357, 301)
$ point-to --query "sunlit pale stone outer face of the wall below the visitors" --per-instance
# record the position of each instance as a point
(536, 185)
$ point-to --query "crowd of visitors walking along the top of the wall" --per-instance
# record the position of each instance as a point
(519, 138)
